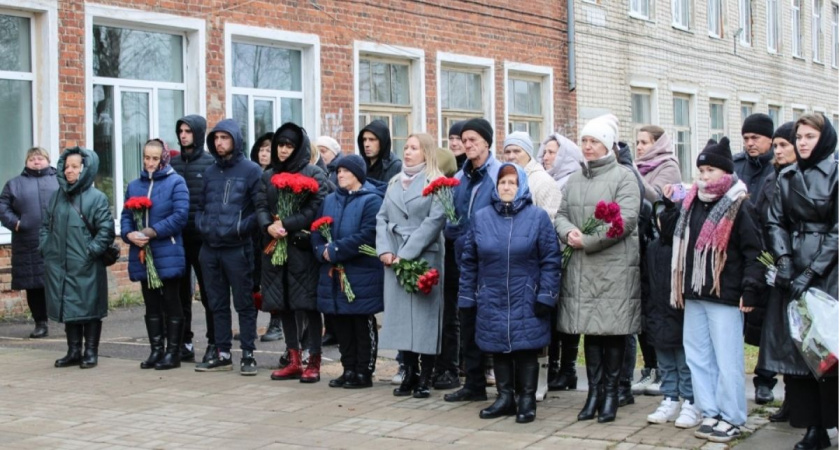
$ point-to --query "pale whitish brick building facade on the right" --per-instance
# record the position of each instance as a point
(699, 67)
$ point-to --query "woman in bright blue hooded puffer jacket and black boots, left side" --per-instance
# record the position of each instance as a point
(161, 230)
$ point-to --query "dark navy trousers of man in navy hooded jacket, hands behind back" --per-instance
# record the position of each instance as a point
(228, 270)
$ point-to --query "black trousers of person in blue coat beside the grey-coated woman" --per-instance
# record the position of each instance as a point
(356, 334)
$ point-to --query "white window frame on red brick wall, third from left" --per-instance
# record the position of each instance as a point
(310, 47)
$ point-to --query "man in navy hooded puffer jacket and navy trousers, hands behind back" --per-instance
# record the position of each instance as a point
(226, 219)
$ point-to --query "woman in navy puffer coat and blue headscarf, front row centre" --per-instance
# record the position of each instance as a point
(511, 274)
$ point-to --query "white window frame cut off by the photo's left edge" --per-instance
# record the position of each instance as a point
(43, 25)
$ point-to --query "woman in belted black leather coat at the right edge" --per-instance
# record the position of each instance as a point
(802, 229)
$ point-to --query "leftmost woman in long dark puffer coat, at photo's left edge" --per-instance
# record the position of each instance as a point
(22, 202)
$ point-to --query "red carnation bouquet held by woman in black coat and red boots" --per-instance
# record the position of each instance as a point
(293, 189)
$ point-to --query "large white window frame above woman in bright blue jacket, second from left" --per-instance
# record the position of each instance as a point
(194, 57)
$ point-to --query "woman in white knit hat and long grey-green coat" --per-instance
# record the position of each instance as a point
(600, 296)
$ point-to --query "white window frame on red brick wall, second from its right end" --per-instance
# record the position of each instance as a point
(453, 61)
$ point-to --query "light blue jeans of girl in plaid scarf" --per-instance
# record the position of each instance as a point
(714, 350)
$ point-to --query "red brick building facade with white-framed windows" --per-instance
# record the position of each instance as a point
(109, 75)
